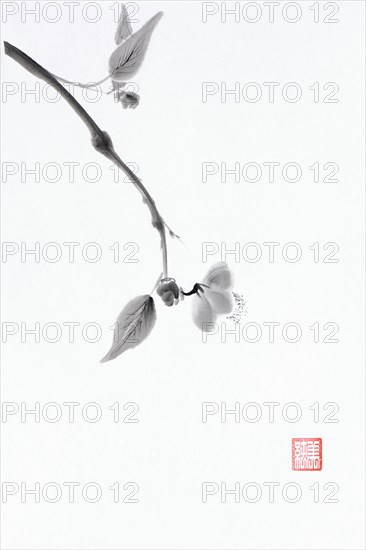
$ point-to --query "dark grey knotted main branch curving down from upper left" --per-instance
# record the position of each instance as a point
(100, 139)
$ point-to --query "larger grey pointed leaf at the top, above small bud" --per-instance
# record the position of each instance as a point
(126, 60)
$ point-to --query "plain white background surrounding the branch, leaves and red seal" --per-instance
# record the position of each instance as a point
(171, 452)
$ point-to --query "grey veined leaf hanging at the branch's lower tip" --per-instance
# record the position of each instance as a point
(133, 326)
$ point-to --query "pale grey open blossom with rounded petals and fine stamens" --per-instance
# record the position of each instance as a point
(214, 297)
